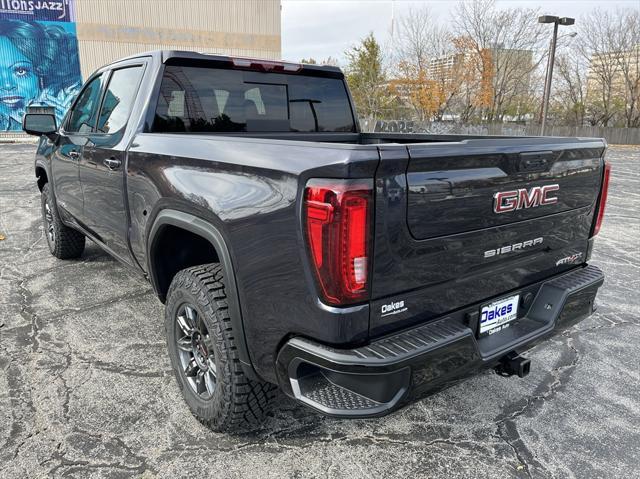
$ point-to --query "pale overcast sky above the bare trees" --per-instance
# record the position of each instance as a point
(323, 28)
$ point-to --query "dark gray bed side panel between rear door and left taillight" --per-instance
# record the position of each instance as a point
(255, 204)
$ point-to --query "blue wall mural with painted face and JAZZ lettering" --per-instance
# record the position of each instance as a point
(39, 59)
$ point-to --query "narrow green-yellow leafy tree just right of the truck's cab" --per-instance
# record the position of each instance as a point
(367, 78)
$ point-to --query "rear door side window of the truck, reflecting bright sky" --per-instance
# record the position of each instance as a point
(118, 99)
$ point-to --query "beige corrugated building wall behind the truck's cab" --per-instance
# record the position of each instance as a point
(111, 29)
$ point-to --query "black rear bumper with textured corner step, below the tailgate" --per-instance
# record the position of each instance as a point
(376, 379)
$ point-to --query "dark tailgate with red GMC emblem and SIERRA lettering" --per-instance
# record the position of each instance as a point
(458, 223)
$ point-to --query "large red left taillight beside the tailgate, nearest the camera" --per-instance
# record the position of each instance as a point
(337, 216)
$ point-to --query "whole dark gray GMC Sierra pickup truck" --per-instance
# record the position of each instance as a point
(356, 272)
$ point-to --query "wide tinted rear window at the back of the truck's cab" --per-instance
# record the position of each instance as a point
(200, 99)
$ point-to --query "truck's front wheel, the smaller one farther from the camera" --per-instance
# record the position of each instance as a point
(64, 242)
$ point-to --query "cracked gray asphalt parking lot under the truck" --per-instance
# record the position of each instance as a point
(86, 388)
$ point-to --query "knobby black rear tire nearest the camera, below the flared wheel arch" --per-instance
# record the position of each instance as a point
(237, 403)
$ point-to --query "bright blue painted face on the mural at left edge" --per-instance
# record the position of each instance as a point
(18, 82)
